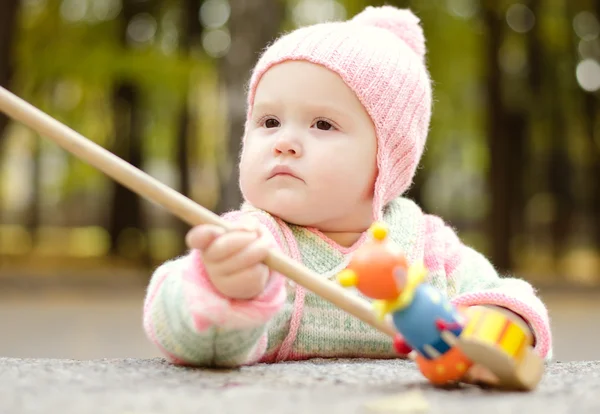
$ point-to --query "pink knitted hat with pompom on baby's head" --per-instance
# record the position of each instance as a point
(380, 55)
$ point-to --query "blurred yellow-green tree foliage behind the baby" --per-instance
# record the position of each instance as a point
(69, 68)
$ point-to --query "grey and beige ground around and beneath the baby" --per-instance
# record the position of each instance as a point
(84, 351)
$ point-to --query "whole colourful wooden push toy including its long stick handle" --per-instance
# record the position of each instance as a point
(395, 286)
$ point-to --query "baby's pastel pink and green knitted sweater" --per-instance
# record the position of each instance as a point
(193, 324)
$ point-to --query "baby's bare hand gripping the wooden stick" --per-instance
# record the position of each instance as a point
(233, 259)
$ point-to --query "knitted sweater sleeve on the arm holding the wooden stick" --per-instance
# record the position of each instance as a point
(191, 323)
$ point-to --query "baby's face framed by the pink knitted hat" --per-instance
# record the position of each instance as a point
(310, 150)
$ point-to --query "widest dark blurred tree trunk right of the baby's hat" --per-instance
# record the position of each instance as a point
(507, 126)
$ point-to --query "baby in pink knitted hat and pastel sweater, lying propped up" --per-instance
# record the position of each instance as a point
(338, 114)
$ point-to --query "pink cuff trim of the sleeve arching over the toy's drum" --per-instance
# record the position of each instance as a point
(538, 323)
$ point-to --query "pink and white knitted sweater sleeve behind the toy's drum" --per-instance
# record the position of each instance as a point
(472, 280)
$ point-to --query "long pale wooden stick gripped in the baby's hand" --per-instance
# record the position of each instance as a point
(176, 203)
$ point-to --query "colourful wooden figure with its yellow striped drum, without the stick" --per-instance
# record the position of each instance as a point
(443, 340)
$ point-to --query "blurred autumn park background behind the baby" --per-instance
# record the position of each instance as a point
(512, 163)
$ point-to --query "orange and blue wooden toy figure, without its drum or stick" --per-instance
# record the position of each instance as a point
(419, 312)
